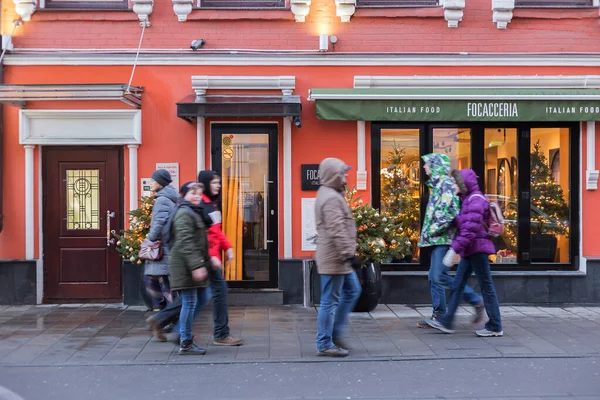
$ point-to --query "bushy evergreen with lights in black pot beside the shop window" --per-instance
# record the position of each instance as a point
(381, 238)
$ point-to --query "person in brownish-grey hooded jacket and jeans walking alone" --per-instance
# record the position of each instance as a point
(335, 256)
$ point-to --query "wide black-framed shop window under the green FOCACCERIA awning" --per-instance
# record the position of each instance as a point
(529, 171)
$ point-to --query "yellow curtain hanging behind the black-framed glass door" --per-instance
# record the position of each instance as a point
(232, 211)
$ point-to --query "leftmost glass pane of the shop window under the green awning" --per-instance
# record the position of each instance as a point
(400, 181)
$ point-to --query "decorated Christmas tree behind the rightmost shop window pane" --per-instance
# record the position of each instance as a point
(547, 196)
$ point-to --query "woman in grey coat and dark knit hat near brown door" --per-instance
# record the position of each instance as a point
(156, 273)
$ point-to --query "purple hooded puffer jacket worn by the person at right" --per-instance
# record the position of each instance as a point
(472, 235)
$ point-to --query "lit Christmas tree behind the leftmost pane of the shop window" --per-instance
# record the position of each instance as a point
(400, 196)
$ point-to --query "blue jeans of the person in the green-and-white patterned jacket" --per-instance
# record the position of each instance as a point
(440, 280)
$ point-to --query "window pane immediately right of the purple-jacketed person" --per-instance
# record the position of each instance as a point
(500, 184)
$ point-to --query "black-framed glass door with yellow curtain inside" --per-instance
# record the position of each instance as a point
(246, 158)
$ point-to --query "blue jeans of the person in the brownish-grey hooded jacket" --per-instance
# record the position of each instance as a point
(334, 310)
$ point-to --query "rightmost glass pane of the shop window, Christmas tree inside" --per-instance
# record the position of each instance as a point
(550, 186)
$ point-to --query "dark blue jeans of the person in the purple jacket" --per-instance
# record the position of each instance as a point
(479, 263)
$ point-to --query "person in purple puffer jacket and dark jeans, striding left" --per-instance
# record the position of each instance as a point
(473, 244)
